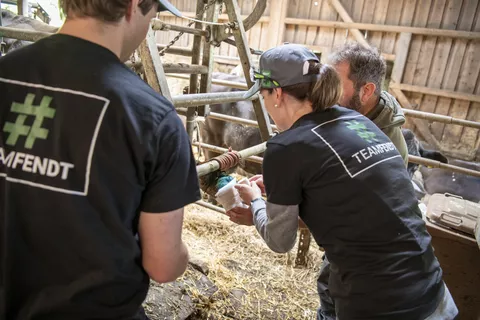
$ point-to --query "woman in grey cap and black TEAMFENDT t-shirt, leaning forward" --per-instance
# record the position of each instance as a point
(338, 172)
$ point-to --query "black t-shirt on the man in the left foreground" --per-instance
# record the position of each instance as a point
(85, 146)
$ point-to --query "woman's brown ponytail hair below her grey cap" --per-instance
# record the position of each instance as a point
(324, 93)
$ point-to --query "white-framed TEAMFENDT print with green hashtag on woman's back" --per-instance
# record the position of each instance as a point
(374, 148)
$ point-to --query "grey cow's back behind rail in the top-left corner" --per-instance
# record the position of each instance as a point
(12, 20)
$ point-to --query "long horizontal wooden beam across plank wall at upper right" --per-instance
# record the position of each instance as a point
(469, 35)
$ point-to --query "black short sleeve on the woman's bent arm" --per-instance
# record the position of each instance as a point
(281, 176)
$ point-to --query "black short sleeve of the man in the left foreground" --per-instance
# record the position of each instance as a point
(172, 182)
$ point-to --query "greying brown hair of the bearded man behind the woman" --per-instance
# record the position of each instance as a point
(366, 64)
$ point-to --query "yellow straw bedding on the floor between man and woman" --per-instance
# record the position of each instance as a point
(245, 279)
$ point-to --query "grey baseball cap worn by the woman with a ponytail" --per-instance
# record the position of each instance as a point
(283, 66)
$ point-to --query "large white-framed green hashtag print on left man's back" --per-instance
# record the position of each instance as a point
(49, 135)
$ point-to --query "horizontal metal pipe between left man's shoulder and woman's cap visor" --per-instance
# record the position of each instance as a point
(200, 99)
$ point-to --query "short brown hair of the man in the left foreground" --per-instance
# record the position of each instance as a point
(107, 10)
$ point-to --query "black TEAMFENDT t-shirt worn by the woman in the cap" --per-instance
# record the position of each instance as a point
(356, 198)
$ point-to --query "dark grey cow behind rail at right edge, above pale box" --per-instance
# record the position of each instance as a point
(442, 181)
